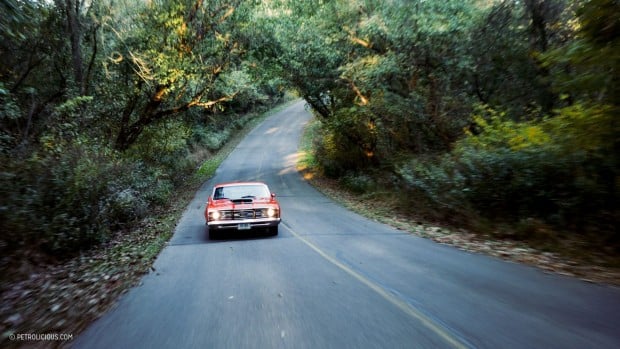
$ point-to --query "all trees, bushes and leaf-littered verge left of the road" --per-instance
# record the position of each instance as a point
(111, 116)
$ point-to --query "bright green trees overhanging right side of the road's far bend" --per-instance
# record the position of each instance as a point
(386, 77)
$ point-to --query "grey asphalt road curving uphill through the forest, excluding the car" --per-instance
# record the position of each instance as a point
(333, 279)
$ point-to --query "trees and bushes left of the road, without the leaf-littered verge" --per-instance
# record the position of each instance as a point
(102, 104)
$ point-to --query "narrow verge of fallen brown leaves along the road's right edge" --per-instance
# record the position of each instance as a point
(384, 204)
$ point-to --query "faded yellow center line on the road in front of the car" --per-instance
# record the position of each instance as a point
(404, 306)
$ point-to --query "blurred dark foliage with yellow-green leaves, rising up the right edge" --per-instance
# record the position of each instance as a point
(561, 169)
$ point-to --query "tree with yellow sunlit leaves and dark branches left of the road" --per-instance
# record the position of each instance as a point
(170, 59)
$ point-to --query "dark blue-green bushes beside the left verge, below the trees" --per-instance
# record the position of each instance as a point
(68, 201)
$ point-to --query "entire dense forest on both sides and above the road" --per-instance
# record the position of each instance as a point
(498, 111)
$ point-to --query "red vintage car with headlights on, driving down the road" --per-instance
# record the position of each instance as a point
(242, 206)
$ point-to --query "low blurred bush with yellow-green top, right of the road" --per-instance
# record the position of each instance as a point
(561, 171)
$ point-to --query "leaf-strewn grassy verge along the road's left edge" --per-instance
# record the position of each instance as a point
(64, 295)
